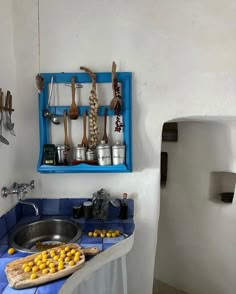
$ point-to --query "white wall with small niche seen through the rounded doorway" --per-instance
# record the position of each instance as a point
(196, 241)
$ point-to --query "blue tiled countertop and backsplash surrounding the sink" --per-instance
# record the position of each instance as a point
(58, 208)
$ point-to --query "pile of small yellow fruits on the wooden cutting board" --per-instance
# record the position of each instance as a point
(49, 262)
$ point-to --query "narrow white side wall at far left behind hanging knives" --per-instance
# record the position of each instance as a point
(8, 153)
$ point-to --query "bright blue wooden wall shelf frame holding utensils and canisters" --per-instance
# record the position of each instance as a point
(125, 78)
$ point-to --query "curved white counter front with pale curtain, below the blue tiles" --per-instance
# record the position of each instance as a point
(104, 274)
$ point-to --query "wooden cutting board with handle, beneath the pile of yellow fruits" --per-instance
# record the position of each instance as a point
(20, 279)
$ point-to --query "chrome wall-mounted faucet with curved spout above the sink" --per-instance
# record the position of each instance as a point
(20, 190)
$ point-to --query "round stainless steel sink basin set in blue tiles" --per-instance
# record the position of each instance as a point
(25, 237)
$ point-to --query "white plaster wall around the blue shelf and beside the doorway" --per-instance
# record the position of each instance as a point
(182, 54)
